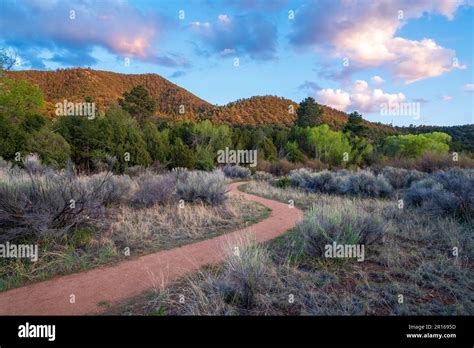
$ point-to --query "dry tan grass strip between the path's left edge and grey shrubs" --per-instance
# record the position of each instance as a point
(142, 230)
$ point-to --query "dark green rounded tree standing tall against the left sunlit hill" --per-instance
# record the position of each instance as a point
(138, 103)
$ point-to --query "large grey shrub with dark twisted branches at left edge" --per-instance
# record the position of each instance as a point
(47, 204)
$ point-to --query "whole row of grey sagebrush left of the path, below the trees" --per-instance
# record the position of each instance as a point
(41, 202)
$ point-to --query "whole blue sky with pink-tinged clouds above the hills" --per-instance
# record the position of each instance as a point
(401, 62)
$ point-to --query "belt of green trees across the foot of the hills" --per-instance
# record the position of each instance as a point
(136, 137)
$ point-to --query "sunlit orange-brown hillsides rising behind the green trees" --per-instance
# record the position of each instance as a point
(104, 87)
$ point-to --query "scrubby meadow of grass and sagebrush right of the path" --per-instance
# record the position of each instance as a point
(418, 258)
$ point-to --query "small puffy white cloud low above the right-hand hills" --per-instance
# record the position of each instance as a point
(359, 97)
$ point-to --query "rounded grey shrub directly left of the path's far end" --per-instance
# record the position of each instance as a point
(202, 186)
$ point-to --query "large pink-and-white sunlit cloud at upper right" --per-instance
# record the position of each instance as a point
(364, 32)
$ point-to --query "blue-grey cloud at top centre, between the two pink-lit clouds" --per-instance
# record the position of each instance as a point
(251, 35)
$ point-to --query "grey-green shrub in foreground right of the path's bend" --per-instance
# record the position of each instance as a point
(346, 225)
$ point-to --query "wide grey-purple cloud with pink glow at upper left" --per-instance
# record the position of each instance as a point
(75, 28)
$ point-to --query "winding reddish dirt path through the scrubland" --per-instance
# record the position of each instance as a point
(111, 284)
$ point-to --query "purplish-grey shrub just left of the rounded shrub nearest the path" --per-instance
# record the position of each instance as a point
(153, 189)
